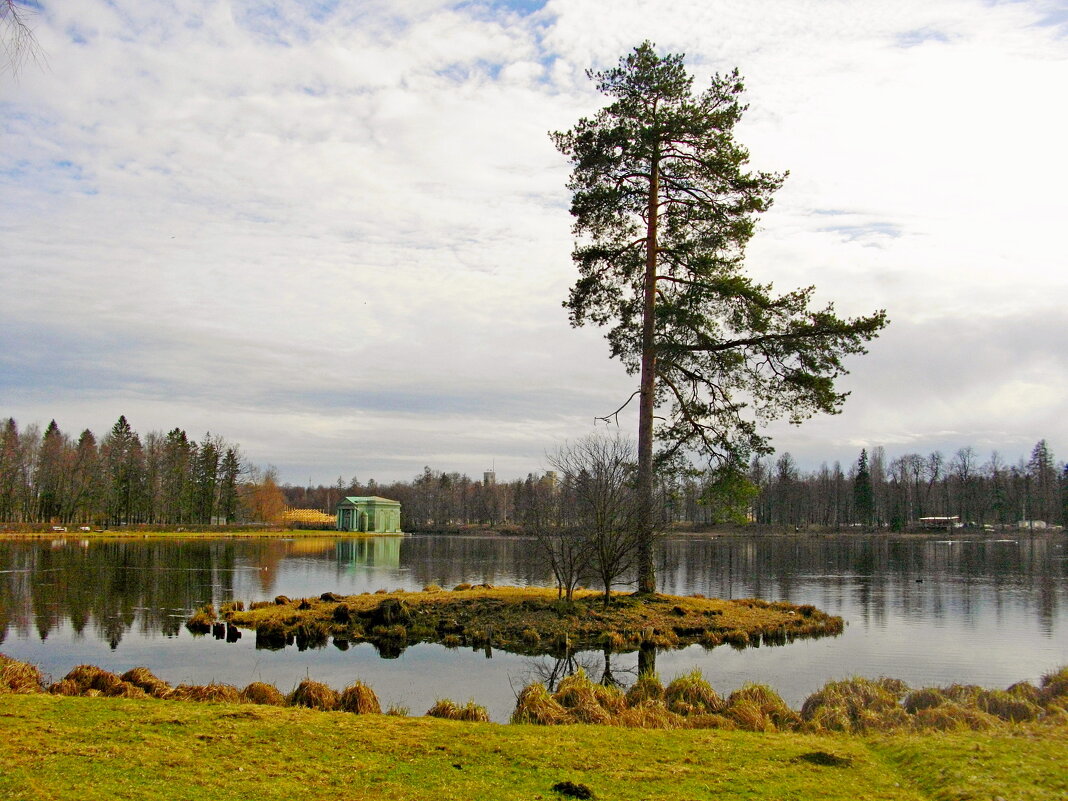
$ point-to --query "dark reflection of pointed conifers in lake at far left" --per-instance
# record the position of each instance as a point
(115, 586)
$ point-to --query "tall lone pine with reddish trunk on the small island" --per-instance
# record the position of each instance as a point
(664, 209)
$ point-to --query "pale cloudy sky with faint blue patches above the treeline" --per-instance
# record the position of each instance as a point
(337, 233)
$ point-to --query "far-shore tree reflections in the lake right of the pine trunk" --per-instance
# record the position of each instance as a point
(884, 577)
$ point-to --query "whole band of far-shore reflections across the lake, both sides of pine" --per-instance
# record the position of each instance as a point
(112, 588)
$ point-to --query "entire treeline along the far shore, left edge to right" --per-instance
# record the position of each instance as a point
(171, 480)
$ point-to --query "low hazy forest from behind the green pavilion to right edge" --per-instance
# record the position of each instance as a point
(872, 493)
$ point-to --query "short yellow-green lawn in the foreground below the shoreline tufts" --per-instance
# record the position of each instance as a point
(75, 748)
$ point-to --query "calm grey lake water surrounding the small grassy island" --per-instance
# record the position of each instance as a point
(928, 611)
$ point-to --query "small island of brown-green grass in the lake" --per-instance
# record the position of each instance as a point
(520, 620)
